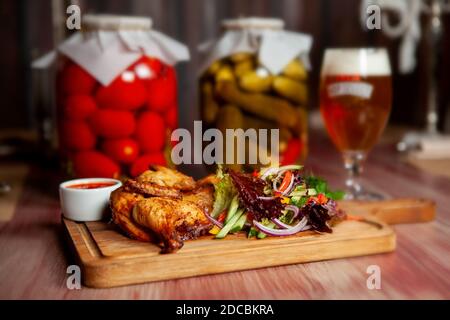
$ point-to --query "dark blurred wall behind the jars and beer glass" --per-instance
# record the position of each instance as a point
(29, 29)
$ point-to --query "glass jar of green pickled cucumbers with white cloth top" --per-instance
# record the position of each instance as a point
(255, 77)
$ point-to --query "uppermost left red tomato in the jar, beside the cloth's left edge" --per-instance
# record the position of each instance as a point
(75, 80)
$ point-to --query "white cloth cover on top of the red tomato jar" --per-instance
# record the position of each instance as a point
(111, 44)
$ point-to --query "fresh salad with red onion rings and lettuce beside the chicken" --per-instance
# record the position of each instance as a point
(277, 201)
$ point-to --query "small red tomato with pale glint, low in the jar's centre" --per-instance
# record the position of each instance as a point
(121, 150)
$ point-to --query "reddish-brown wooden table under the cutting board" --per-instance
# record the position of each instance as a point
(34, 257)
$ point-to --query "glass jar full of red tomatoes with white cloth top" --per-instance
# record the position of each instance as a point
(113, 125)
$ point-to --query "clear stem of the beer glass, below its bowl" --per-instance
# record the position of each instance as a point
(353, 161)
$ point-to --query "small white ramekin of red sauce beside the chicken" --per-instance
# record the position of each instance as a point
(86, 204)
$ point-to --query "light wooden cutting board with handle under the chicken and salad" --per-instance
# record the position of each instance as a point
(109, 259)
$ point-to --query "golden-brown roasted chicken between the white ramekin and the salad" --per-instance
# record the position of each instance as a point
(163, 205)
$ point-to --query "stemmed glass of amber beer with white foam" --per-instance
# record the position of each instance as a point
(355, 102)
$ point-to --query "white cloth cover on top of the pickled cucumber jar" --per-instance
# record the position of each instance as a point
(265, 37)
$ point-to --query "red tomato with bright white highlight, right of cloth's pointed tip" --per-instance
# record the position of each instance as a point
(126, 92)
